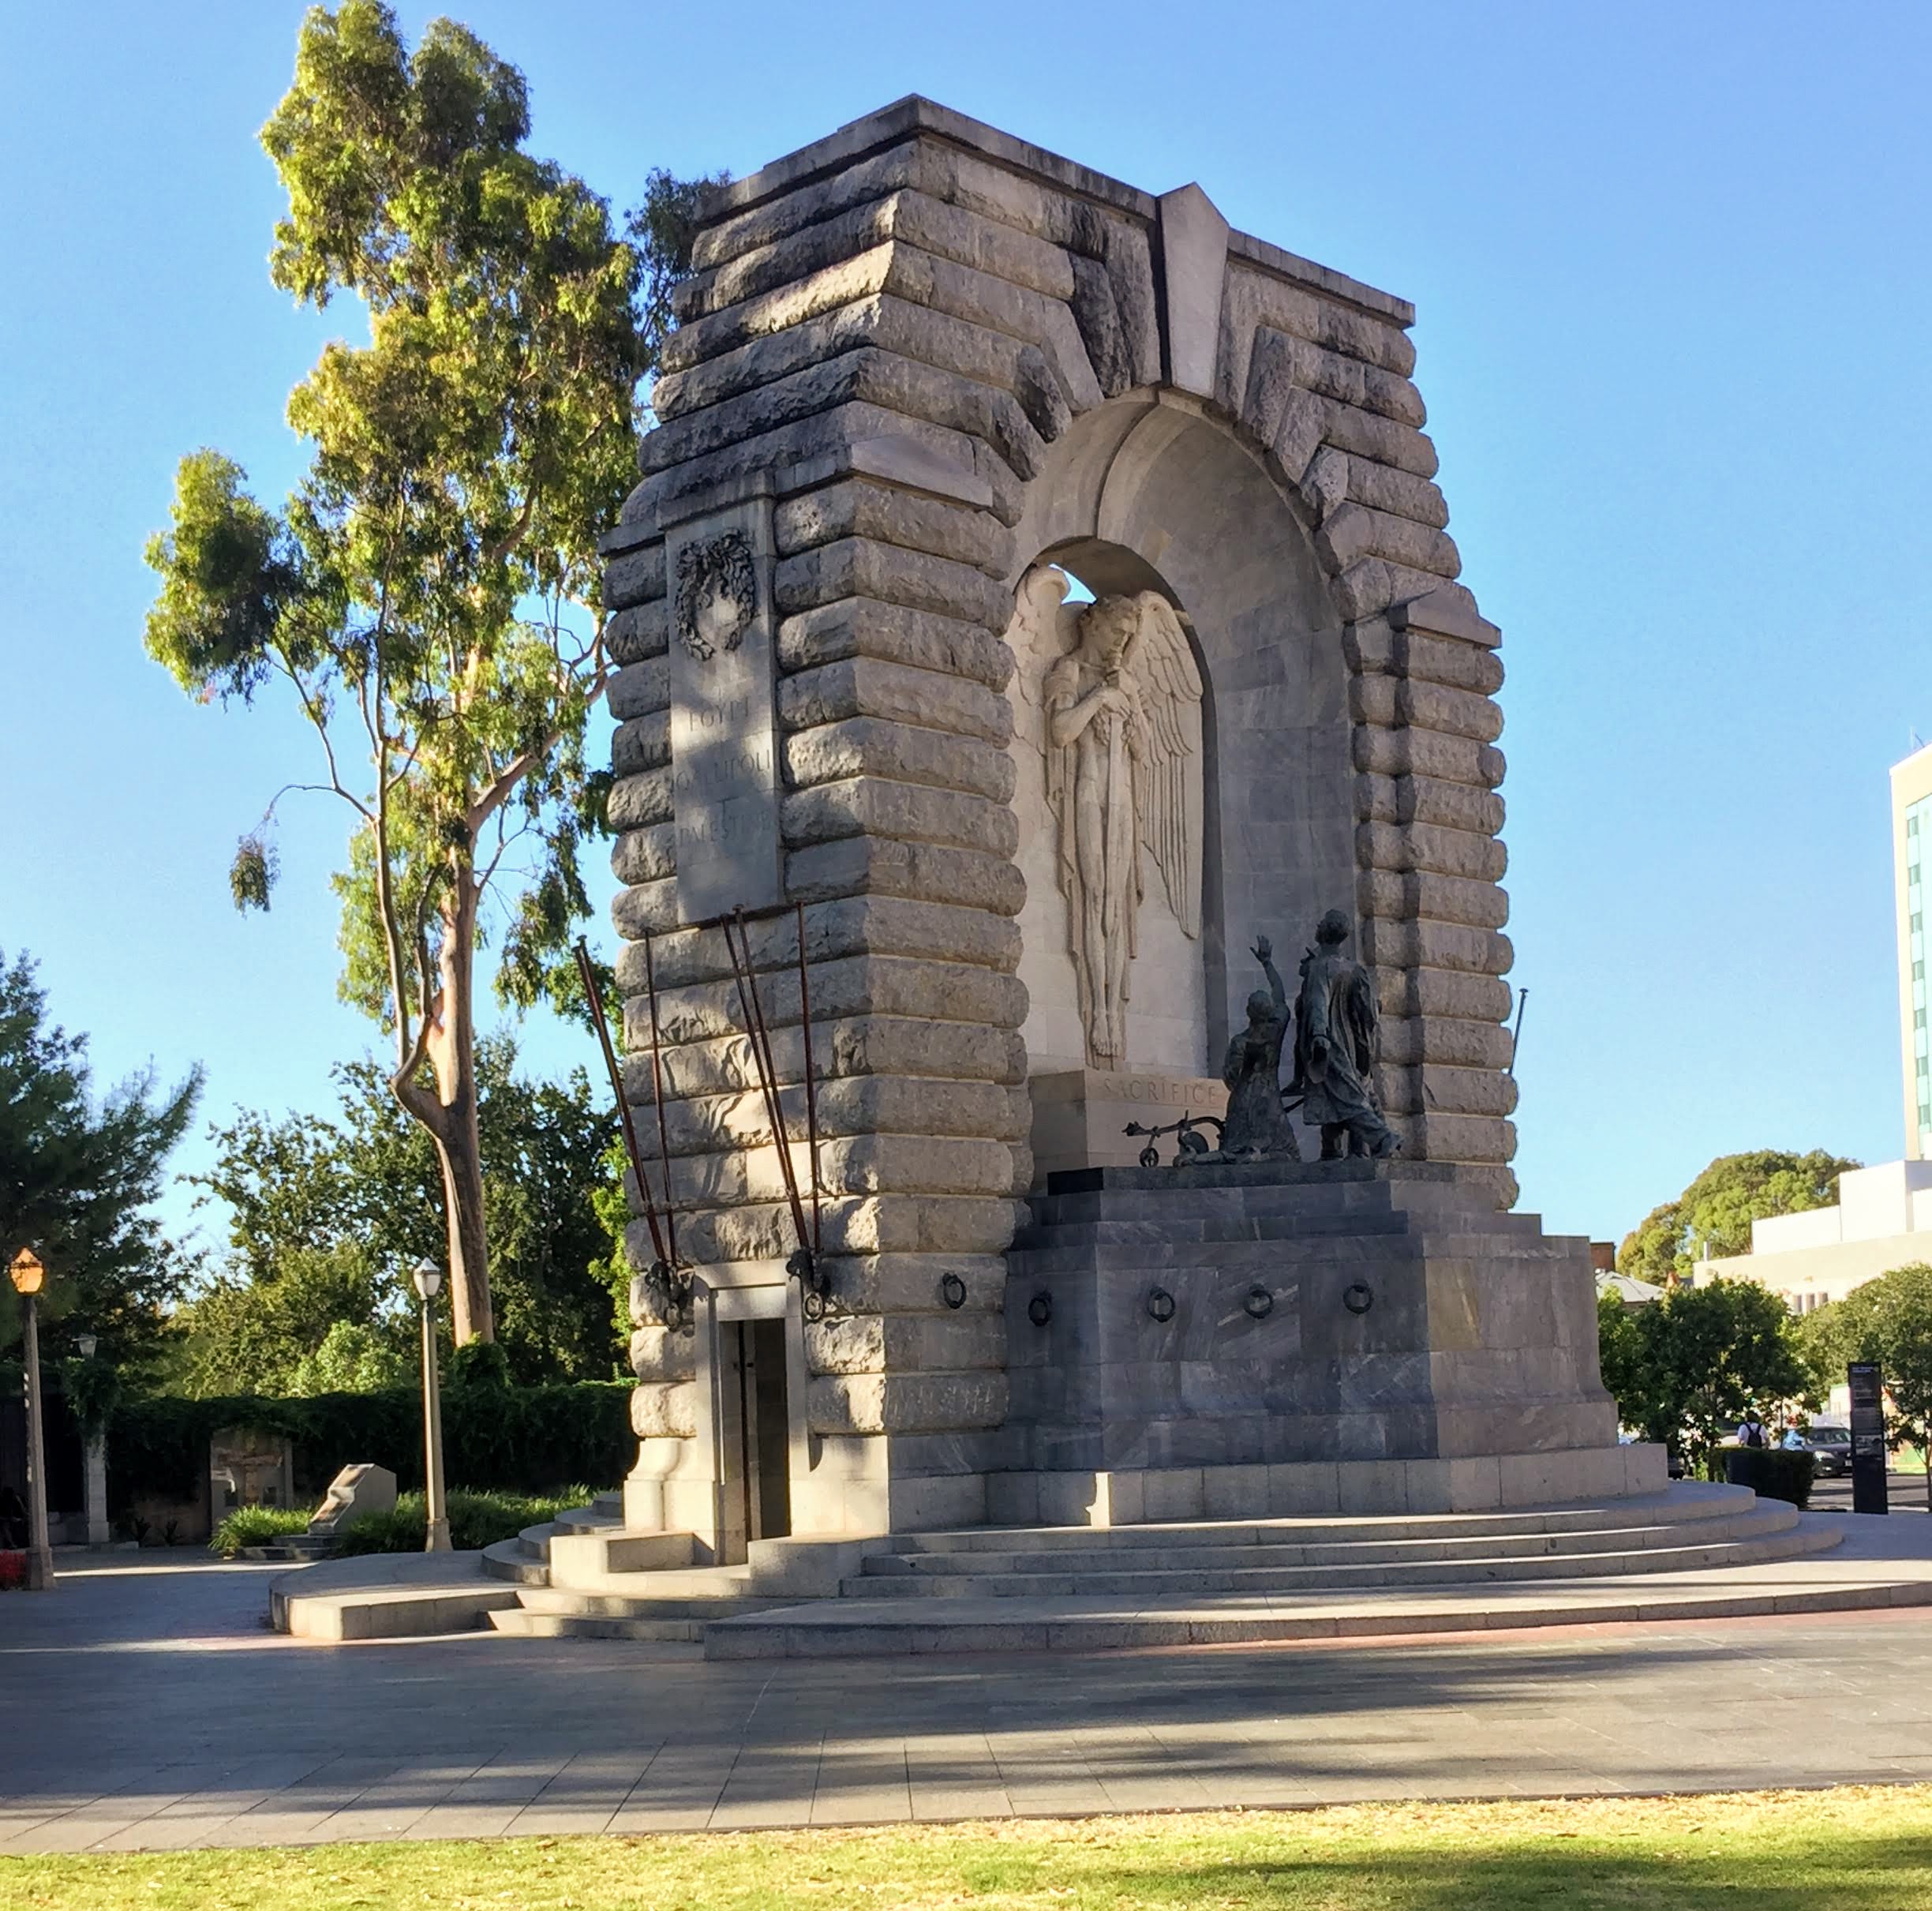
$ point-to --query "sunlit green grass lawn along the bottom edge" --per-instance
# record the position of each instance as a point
(1858, 1848)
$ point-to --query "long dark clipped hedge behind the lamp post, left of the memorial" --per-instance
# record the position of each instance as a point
(509, 1439)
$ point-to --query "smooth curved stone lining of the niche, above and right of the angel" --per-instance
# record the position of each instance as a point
(1151, 492)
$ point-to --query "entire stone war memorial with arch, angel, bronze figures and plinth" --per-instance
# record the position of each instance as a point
(1058, 801)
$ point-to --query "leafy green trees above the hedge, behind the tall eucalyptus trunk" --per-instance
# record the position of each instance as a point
(326, 1218)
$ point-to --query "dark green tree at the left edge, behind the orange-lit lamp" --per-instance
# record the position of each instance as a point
(76, 1182)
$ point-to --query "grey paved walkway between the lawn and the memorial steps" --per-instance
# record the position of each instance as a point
(144, 1705)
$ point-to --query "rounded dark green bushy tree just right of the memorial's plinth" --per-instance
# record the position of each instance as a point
(1688, 1369)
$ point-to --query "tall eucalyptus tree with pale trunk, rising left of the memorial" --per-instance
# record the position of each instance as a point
(430, 594)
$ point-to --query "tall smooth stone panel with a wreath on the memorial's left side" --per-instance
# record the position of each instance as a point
(724, 722)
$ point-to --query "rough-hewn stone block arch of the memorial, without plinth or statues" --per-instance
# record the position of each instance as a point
(911, 360)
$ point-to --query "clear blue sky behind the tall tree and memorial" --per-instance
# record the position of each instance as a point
(1672, 277)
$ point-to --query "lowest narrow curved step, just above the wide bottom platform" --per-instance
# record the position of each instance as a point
(1319, 1580)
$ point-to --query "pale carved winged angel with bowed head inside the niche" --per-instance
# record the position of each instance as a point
(1122, 726)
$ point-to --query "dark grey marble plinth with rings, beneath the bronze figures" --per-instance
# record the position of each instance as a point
(1351, 1336)
